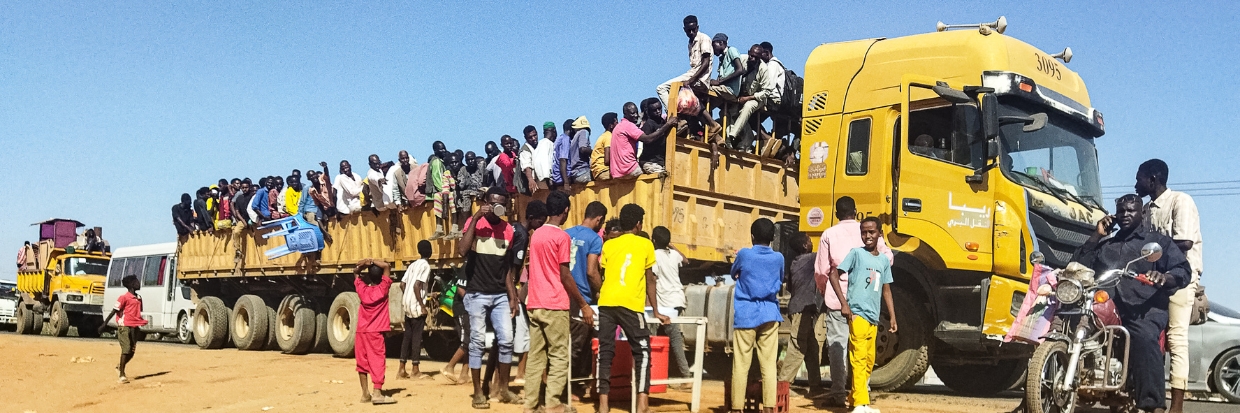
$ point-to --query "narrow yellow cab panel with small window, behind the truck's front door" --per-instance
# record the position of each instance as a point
(862, 166)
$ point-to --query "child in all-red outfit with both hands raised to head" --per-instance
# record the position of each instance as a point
(373, 280)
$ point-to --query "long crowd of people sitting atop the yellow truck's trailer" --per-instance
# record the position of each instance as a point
(747, 90)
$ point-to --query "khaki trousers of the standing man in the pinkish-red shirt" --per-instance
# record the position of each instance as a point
(549, 353)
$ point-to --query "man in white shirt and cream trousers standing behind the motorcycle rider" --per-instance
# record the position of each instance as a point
(1174, 214)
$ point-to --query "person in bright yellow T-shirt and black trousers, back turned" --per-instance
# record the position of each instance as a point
(628, 287)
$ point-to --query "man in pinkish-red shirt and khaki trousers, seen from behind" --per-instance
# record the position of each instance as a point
(551, 287)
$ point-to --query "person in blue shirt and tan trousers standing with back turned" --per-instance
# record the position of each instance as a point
(759, 276)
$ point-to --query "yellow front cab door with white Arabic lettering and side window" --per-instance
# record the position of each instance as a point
(942, 144)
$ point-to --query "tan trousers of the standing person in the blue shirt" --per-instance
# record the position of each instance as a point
(746, 343)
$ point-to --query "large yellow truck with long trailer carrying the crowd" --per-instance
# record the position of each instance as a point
(974, 148)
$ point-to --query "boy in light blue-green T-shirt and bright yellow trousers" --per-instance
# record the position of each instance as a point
(870, 272)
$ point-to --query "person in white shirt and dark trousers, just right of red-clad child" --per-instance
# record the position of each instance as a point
(416, 280)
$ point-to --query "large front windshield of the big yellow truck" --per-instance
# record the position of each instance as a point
(1060, 158)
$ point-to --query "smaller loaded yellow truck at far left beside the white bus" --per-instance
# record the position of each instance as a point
(61, 283)
